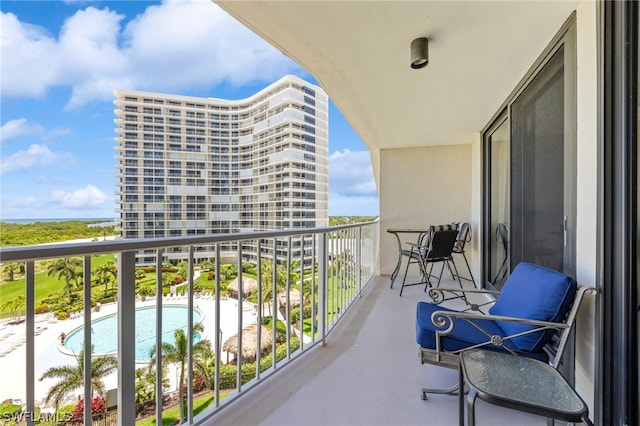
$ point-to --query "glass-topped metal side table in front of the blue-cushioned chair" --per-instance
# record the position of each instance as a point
(519, 383)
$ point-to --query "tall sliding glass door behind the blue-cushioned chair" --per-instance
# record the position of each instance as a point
(529, 163)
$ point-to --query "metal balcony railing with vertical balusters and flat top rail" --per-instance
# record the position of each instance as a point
(333, 265)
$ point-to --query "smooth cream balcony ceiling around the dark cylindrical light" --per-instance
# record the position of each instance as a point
(359, 53)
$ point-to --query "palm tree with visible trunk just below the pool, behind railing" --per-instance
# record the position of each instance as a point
(179, 353)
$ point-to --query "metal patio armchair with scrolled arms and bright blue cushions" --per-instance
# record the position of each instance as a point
(533, 317)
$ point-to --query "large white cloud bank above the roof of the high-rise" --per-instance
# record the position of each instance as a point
(174, 46)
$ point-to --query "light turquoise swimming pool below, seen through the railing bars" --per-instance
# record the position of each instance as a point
(104, 330)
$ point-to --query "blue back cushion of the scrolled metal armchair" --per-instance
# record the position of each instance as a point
(537, 293)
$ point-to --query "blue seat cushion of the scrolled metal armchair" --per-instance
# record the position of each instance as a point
(464, 334)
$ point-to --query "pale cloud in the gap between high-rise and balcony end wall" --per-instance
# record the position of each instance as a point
(351, 174)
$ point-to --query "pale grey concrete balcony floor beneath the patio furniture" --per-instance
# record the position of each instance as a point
(368, 373)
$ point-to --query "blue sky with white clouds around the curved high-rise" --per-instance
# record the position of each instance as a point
(60, 63)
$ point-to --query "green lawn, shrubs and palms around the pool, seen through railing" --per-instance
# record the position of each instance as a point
(59, 291)
